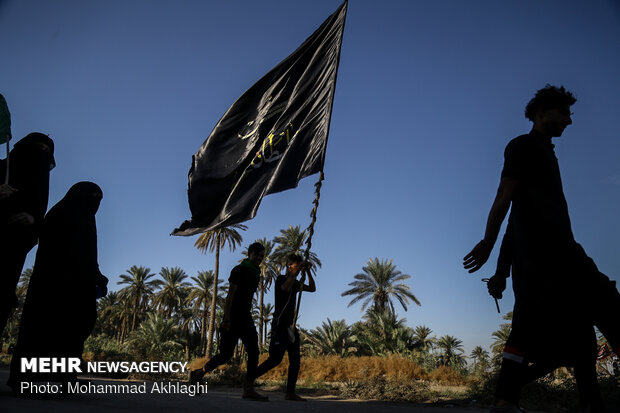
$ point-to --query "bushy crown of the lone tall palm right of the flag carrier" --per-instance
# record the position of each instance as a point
(380, 283)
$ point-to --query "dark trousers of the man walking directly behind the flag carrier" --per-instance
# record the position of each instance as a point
(245, 331)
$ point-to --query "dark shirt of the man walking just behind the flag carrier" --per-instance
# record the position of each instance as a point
(246, 277)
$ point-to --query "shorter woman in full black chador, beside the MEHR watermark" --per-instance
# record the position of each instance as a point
(60, 308)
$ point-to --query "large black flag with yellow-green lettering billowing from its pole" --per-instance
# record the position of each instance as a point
(274, 135)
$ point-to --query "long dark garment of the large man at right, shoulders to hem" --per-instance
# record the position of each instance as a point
(547, 263)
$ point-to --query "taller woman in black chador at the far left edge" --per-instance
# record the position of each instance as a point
(23, 203)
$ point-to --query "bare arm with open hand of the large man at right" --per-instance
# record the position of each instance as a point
(480, 253)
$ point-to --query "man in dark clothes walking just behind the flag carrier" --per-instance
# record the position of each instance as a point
(238, 323)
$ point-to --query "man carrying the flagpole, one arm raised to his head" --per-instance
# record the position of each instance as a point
(284, 334)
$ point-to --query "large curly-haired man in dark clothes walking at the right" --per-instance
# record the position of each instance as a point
(552, 276)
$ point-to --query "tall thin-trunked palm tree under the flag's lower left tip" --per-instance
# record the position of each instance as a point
(216, 240)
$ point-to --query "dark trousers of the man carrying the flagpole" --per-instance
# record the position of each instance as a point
(281, 343)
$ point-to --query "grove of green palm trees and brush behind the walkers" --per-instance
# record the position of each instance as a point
(170, 315)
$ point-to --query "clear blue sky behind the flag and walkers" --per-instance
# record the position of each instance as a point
(428, 95)
